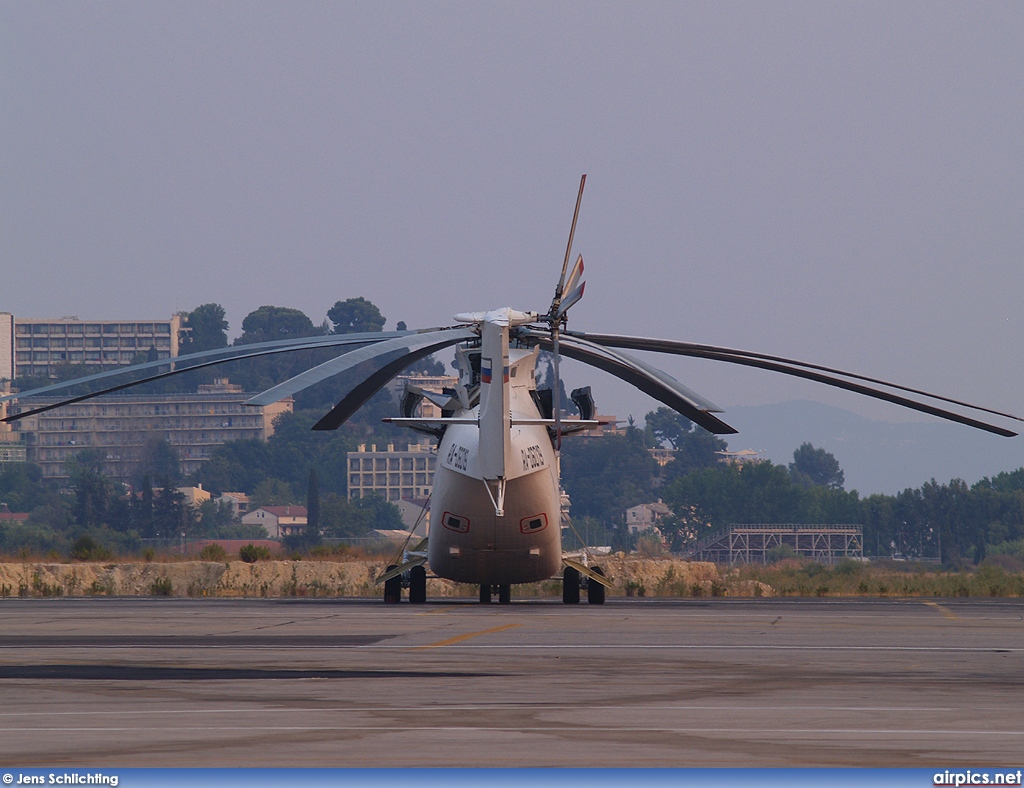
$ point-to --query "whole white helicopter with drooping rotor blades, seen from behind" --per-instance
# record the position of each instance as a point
(496, 505)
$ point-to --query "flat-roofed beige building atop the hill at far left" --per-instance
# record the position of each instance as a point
(39, 347)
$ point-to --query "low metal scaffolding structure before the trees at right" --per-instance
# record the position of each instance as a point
(749, 544)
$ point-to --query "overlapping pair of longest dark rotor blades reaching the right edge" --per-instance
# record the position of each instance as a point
(808, 372)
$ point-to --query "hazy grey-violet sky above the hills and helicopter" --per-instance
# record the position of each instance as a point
(838, 183)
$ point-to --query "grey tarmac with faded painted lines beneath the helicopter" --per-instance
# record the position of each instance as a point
(635, 683)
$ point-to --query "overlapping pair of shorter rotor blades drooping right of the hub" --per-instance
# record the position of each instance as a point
(659, 385)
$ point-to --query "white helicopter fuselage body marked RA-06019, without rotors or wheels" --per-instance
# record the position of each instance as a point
(498, 531)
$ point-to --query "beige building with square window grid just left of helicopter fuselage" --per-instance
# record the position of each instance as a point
(393, 474)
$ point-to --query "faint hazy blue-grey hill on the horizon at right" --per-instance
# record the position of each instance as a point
(877, 457)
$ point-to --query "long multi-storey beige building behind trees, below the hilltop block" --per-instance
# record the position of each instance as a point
(194, 425)
